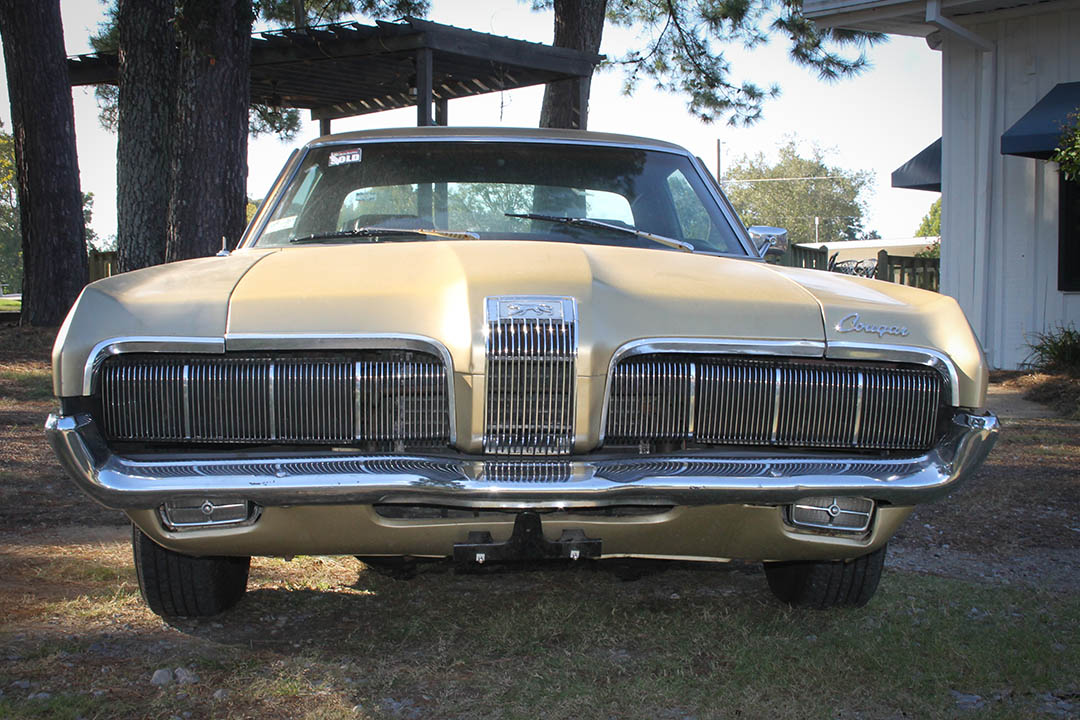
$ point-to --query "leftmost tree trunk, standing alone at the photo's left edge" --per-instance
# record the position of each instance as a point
(50, 202)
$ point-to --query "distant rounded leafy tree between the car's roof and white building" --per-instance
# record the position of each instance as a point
(796, 189)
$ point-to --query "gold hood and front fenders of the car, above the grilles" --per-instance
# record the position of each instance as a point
(437, 290)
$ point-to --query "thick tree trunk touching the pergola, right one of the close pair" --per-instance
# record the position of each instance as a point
(210, 164)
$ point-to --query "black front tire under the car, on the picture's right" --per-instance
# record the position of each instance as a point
(827, 585)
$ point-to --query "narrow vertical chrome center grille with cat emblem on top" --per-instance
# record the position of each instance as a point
(532, 356)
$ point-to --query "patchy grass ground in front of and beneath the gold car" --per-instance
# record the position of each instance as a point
(318, 637)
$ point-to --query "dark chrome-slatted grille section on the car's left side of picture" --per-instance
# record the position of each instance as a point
(383, 397)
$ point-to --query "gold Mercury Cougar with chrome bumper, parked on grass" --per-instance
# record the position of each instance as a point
(494, 345)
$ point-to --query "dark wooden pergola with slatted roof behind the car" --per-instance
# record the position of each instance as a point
(350, 70)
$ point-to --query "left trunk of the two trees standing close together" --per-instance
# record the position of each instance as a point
(146, 104)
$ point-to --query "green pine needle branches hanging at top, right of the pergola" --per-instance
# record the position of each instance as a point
(684, 48)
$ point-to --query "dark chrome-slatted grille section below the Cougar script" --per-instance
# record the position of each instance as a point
(718, 401)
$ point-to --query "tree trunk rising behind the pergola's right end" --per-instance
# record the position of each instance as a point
(579, 25)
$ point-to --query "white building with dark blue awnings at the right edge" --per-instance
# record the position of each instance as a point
(1011, 227)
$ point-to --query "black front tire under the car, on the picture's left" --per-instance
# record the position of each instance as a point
(178, 586)
